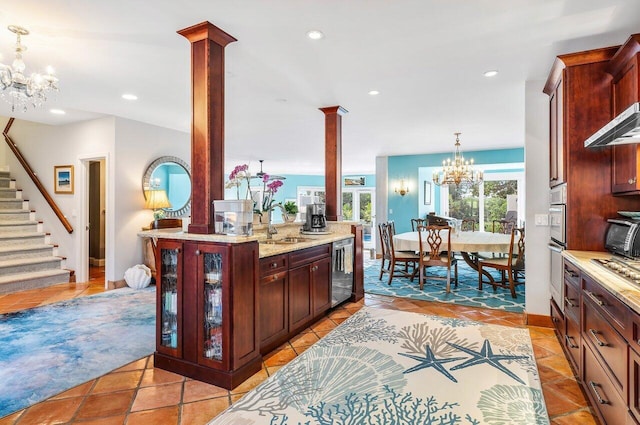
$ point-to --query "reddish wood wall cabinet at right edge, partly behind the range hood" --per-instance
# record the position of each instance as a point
(623, 67)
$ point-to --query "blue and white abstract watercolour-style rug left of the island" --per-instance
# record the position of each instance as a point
(49, 349)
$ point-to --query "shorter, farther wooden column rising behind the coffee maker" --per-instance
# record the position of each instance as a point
(333, 161)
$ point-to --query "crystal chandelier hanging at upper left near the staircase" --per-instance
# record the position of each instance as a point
(17, 89)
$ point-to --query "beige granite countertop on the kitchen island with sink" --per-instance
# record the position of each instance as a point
(266, 249)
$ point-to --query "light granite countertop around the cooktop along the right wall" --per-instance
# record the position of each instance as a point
(619, 287)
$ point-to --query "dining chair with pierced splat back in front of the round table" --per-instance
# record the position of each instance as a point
(432, 254)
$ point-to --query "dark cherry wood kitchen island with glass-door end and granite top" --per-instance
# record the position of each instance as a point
(223, 301)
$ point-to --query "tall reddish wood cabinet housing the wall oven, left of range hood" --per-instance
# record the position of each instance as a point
(579, 90)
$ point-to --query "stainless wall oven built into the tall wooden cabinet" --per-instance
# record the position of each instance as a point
(557, 241)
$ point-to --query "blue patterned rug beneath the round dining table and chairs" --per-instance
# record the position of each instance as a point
(466, 294)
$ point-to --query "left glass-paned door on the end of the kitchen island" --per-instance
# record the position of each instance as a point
(168, 290)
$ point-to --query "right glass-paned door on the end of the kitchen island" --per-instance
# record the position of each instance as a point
(212, 276)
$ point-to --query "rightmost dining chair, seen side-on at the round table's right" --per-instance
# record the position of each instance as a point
(509, 266)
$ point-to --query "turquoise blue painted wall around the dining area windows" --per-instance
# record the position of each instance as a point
(404, 208)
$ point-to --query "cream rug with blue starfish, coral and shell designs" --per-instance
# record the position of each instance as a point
(394, 367)
